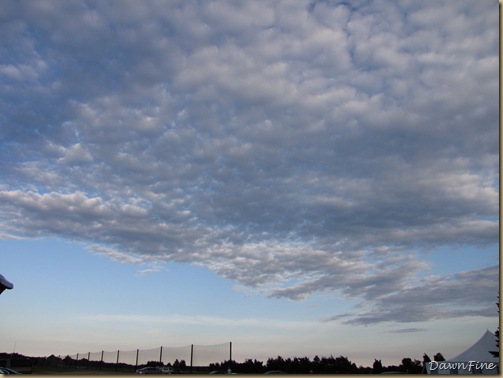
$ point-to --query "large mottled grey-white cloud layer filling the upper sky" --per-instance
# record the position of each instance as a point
(293, 147)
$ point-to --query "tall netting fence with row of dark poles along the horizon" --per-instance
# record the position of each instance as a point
(192, 356)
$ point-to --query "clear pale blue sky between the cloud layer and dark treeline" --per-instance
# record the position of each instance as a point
(88, 303)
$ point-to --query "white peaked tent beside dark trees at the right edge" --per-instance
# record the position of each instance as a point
(475, 360)
